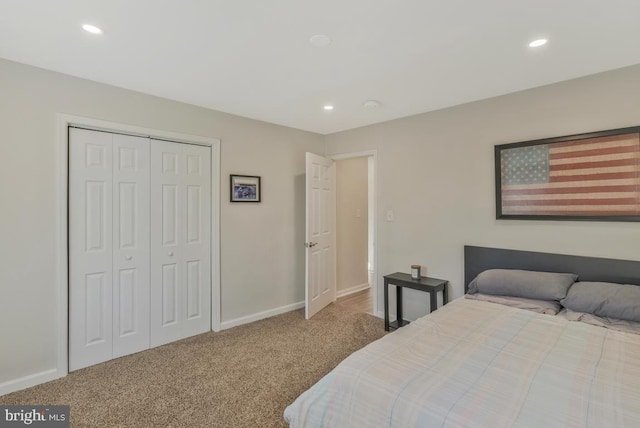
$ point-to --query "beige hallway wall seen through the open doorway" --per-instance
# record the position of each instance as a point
(351, 223)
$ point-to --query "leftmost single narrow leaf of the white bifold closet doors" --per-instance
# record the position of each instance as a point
(90, 247)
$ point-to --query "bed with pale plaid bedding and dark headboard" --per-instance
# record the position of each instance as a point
(476, 363)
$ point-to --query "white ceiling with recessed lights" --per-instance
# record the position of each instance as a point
(253, 57)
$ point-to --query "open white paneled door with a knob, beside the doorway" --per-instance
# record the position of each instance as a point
(320, 281)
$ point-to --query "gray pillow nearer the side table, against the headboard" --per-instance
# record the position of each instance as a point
(523, 283)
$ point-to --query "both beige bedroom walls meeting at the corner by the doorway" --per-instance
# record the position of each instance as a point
(435, 171)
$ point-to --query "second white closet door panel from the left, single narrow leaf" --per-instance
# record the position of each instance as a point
(131, 244)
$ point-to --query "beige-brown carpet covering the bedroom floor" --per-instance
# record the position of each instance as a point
(241, 377)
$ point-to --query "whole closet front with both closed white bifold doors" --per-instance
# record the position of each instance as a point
(139, 244)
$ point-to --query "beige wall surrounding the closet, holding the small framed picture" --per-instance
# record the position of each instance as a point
(262, 255)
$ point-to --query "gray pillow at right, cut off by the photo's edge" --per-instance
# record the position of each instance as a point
(605, 299)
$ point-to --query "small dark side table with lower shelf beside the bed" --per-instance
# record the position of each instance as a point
(401, 280)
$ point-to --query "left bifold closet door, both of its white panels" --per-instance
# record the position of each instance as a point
(108, 246)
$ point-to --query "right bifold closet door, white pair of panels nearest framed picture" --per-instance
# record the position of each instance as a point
(180, 241)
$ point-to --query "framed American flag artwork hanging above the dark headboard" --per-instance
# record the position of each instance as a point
(594, 176)
